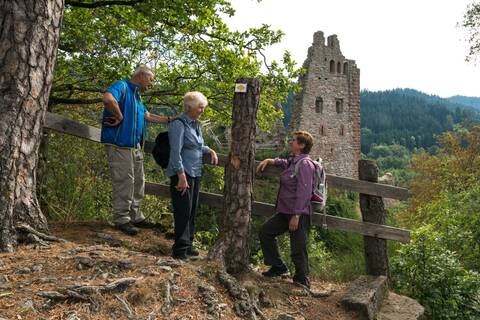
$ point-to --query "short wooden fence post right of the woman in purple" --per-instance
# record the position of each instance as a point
(373, 210)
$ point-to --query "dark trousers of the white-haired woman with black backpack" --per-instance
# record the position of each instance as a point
(184, 211)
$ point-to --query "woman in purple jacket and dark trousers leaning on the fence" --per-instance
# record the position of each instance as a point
(293, 210)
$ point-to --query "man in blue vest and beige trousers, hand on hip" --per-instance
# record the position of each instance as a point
(124, 133)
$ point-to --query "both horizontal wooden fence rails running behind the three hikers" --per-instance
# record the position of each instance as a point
(64, 125)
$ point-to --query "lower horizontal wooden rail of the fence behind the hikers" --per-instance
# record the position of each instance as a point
(266, 209)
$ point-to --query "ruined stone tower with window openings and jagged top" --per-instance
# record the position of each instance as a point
(329, 106)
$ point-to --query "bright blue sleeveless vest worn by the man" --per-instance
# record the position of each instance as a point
(131, 132)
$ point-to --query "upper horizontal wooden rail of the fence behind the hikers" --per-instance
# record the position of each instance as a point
(61, 124)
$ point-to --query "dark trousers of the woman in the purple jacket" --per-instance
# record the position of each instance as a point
(277, 225)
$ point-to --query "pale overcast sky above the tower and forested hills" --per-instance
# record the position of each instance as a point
(396, 44)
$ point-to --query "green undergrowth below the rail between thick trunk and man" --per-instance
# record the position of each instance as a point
(76, 186)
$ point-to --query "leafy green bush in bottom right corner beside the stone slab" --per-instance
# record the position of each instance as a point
(427, 271)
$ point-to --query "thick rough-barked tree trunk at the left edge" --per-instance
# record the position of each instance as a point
(29, 40)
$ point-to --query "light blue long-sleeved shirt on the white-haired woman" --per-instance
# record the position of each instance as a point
(186, 147)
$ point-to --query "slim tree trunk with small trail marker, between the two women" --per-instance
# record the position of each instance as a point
(232, 245)
